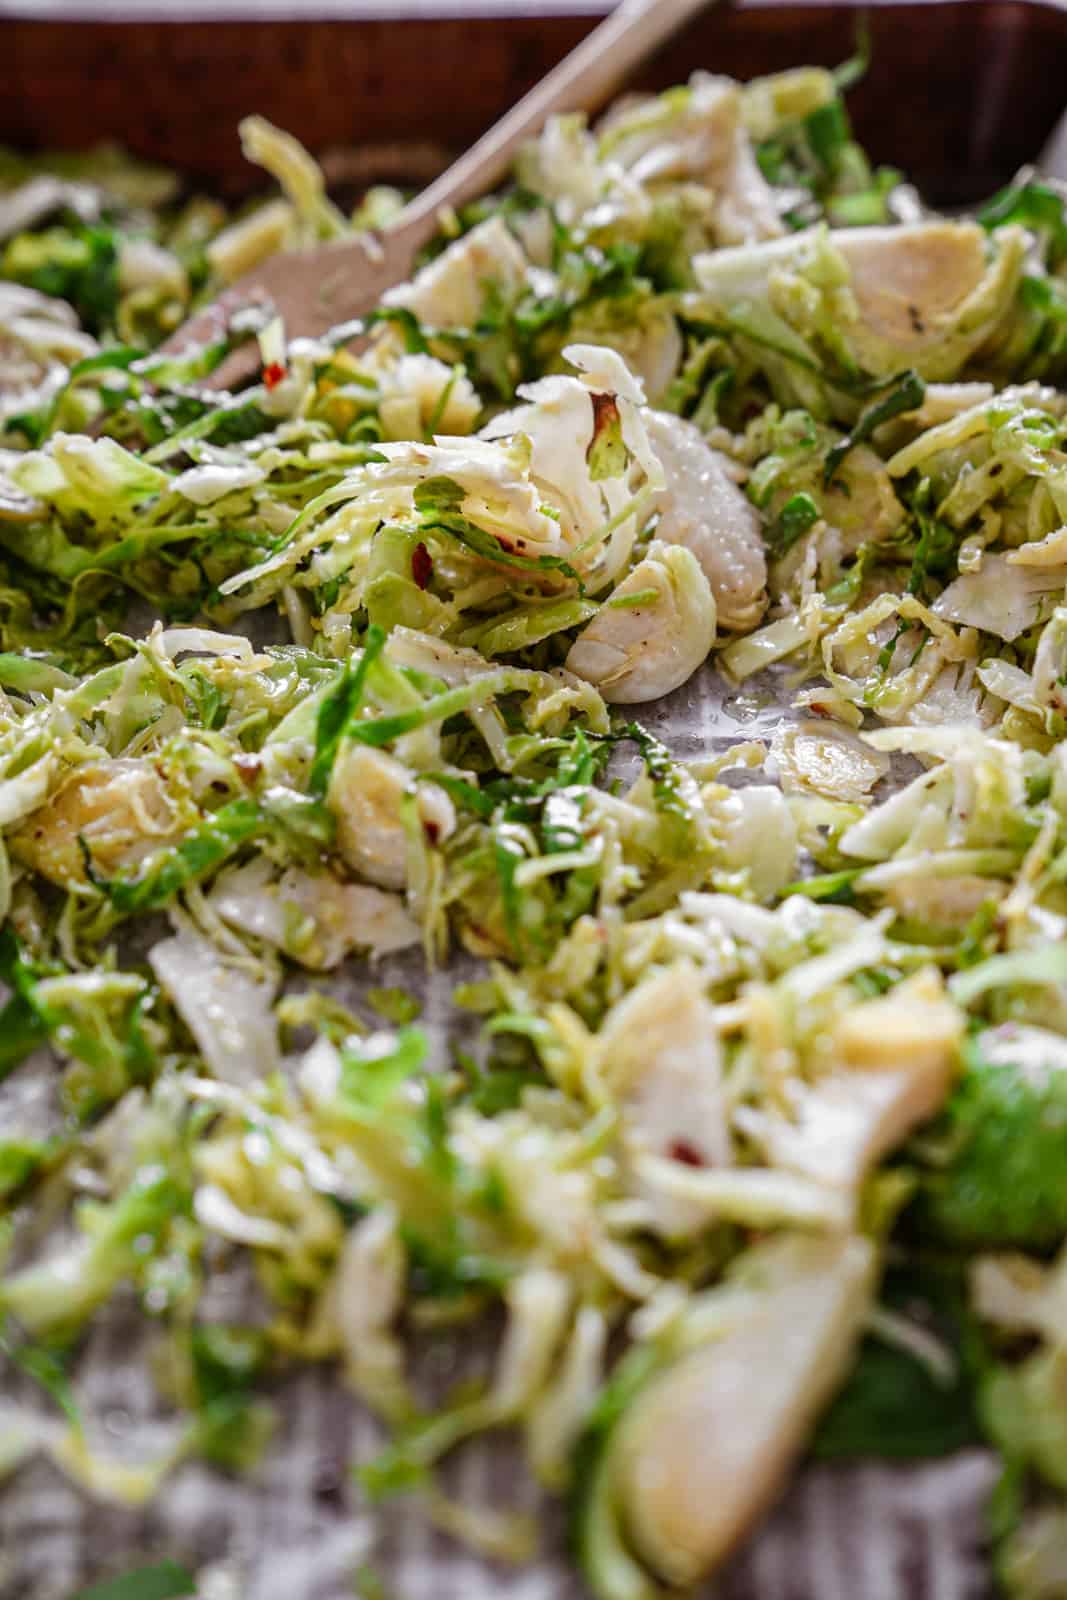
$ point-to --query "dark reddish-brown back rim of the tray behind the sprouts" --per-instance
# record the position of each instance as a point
(959, 94)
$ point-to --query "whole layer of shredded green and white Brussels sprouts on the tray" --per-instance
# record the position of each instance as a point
(332, 686)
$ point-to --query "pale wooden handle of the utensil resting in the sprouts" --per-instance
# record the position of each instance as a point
(583, 82)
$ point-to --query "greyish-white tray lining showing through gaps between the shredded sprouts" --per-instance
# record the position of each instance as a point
(298, 1530)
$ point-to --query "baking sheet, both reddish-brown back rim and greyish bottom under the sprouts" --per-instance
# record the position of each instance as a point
(985, 89)
